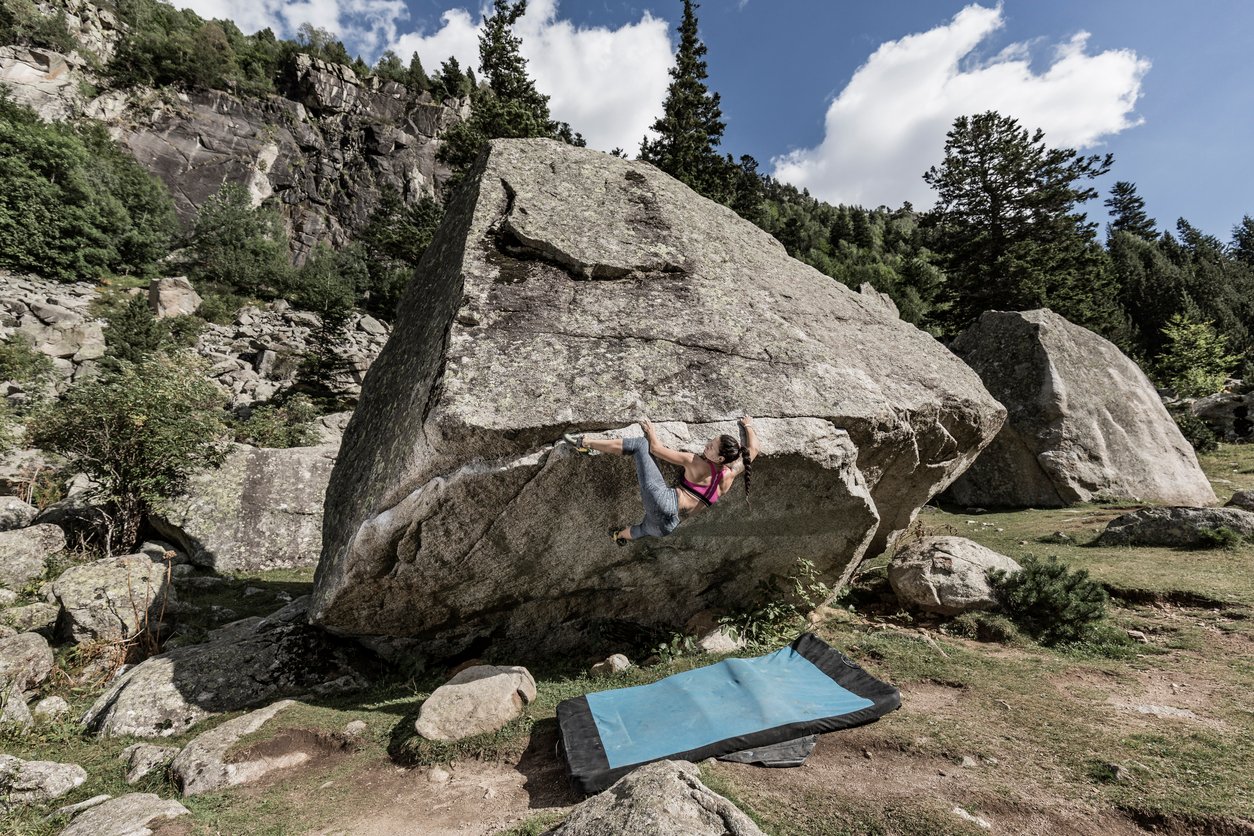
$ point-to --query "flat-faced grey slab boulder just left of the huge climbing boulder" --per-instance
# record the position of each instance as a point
(263, 509)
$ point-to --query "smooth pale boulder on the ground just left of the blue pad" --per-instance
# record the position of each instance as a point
(476, 701)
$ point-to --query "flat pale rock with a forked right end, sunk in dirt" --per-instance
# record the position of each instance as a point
(204, 765)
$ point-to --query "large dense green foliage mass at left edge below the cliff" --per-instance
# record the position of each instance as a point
(75, 205)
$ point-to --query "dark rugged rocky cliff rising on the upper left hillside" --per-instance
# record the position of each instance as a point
(322, 151)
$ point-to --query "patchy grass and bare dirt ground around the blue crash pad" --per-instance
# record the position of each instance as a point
(1104, 738)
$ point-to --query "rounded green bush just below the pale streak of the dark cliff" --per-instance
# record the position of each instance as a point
(239, 248)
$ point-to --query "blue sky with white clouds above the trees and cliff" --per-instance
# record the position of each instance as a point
(852, 101)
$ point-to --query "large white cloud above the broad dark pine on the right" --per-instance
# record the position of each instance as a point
(890, 123)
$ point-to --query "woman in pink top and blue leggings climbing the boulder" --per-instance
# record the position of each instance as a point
(705, 477)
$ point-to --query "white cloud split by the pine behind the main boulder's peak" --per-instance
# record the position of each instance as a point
(608, 83)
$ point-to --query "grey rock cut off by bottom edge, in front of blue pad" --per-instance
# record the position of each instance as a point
(661, 799)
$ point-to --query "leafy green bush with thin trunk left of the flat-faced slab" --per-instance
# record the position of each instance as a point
(140, 431)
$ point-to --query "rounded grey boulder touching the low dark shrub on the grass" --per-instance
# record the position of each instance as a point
(946, 575)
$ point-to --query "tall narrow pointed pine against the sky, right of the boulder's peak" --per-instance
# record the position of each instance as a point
(692, 126)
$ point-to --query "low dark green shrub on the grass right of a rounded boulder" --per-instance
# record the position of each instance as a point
(1050, 602)
